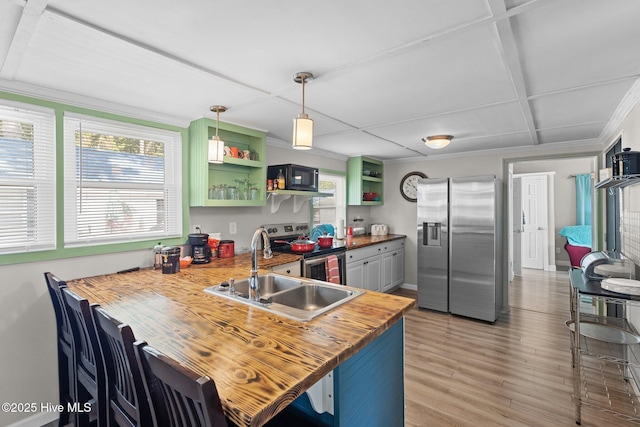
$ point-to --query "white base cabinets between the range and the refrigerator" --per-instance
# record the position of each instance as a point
(377, 267)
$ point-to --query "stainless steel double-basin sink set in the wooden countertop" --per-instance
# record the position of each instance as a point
(297, 298)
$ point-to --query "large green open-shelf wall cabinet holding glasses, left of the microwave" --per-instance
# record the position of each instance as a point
(236, 182)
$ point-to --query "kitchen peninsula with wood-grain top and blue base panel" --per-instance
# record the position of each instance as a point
(262, 362)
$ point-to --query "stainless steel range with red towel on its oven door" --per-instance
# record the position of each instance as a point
(313, 264)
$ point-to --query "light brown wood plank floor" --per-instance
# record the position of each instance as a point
(515, 372)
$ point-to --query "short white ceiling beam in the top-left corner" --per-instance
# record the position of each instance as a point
(31, 15)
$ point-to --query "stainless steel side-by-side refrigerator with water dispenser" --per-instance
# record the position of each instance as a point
(459, 246)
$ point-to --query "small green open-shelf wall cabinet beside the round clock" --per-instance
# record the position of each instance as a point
(364, 175)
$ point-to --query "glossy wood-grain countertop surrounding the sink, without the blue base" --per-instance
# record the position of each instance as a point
(259, 361)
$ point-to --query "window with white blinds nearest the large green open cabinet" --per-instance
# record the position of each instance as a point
(123, 182)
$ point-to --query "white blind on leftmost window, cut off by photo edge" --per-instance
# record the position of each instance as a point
(27, 179)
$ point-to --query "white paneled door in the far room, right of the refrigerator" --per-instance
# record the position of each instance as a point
(534, 220)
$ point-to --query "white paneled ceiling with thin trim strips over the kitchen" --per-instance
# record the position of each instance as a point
(496, 74)
